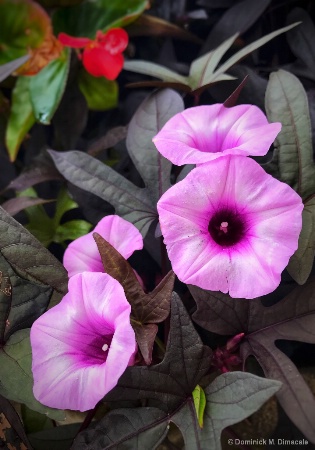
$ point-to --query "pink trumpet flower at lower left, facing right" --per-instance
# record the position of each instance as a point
(82, 346)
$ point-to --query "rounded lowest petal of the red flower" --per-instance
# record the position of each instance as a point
(100, 63)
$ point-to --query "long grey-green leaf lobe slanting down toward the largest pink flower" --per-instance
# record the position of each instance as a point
(130, 202)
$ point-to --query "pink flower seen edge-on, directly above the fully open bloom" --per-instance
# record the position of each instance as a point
(204, 133)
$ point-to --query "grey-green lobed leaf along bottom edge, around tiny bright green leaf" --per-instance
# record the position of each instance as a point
(230, 398)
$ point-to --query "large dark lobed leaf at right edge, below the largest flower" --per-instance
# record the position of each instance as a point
(292, 318)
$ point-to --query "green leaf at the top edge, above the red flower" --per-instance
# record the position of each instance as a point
(93, 15)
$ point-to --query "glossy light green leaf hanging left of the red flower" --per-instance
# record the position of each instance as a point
(45, 100)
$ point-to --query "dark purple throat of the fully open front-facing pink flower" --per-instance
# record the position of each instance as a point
(226, 228)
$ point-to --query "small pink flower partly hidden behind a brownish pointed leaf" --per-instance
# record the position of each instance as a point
(83, 255)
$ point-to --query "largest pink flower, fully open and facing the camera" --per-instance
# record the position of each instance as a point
(230, 227)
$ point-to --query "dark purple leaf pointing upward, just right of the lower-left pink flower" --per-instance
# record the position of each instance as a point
(168, 384)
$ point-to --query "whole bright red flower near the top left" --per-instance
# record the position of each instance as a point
(101, 57)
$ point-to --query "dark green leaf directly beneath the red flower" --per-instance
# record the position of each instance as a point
(100, 94)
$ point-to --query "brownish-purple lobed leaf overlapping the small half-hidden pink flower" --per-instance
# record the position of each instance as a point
(146, 309)
